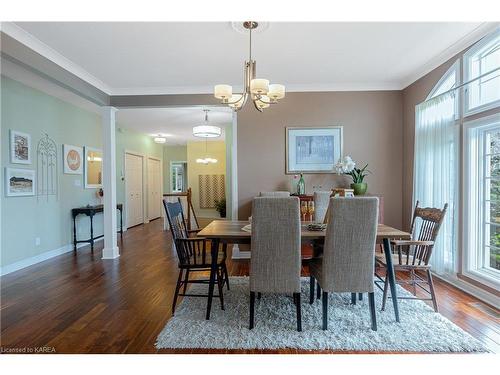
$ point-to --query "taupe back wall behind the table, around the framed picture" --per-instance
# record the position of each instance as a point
(372, 134)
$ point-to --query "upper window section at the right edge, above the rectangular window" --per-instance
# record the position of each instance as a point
(482, 68)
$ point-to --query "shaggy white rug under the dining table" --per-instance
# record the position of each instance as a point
(420, 330)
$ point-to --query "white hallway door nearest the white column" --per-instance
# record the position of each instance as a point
(133, 188)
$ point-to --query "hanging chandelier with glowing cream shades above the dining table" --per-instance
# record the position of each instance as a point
(258, 89)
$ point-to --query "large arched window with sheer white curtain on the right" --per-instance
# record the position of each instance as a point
(464, 107)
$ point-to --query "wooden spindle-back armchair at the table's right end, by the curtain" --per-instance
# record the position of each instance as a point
(413, 256)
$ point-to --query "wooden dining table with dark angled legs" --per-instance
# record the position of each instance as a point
(231, 232)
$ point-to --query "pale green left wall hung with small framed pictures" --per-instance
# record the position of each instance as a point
(26, 218)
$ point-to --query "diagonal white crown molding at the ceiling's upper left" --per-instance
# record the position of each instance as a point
(44, 50)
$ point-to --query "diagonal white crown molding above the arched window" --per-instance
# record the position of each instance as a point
(465, 42)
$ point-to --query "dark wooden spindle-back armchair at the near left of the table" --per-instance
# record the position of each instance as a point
(193, 254)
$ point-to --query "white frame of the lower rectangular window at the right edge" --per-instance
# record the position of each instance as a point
(473, 260)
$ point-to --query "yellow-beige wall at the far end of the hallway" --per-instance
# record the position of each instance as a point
(196, 150)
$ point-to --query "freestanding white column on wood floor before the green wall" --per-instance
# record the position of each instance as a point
(110, 250)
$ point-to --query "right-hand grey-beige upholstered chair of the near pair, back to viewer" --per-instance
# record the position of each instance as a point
(347, 264)
